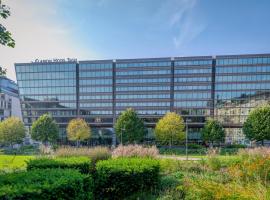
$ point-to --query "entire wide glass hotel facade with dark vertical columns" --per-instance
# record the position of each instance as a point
(223, 87)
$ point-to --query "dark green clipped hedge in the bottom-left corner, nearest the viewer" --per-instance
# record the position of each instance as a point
(46, 184)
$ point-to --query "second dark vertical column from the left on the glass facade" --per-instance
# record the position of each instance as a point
(113, 100)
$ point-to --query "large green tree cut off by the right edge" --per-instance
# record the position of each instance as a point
(257, 125)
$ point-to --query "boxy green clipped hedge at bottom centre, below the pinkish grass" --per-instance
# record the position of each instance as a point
(117, 178)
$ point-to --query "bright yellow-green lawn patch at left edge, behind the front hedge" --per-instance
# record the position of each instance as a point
(11, 162)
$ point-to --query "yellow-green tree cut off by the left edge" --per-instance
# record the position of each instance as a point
(12, 131)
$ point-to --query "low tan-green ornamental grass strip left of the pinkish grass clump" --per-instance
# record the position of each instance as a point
(95, 153)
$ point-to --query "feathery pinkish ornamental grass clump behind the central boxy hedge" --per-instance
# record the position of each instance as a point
(135, 151)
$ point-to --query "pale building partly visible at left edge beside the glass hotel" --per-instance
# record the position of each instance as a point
(9, 99)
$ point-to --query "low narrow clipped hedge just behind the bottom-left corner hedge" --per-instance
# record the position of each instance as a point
(83, 164)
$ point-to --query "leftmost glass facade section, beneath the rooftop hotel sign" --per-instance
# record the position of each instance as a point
(47, 88)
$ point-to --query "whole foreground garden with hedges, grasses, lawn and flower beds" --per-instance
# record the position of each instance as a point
(135, 172)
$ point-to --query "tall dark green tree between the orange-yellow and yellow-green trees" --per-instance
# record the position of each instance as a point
(129, 127)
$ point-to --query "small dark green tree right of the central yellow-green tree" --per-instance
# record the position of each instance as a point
(213, 132)
